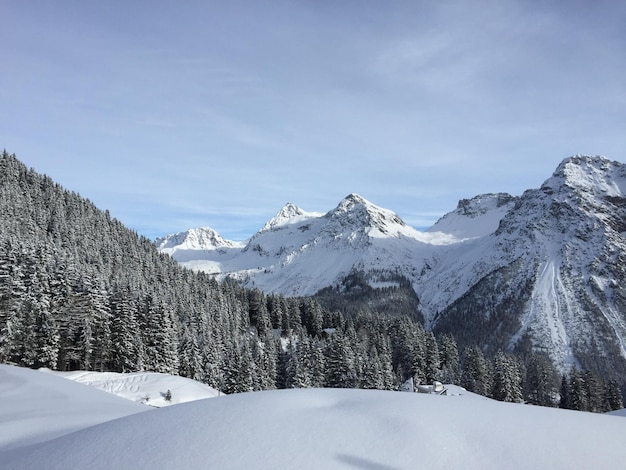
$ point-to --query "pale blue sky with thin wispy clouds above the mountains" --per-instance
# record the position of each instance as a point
(175, 115)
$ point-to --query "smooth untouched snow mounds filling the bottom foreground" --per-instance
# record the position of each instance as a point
(306, 428)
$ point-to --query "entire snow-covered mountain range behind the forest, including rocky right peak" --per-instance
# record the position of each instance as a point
(544, 270)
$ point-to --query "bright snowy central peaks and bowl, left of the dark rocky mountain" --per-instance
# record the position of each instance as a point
(298, 252)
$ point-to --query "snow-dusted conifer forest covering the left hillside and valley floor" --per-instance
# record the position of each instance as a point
(78, 290)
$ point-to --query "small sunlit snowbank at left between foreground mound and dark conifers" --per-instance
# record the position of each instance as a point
(149, 388)
